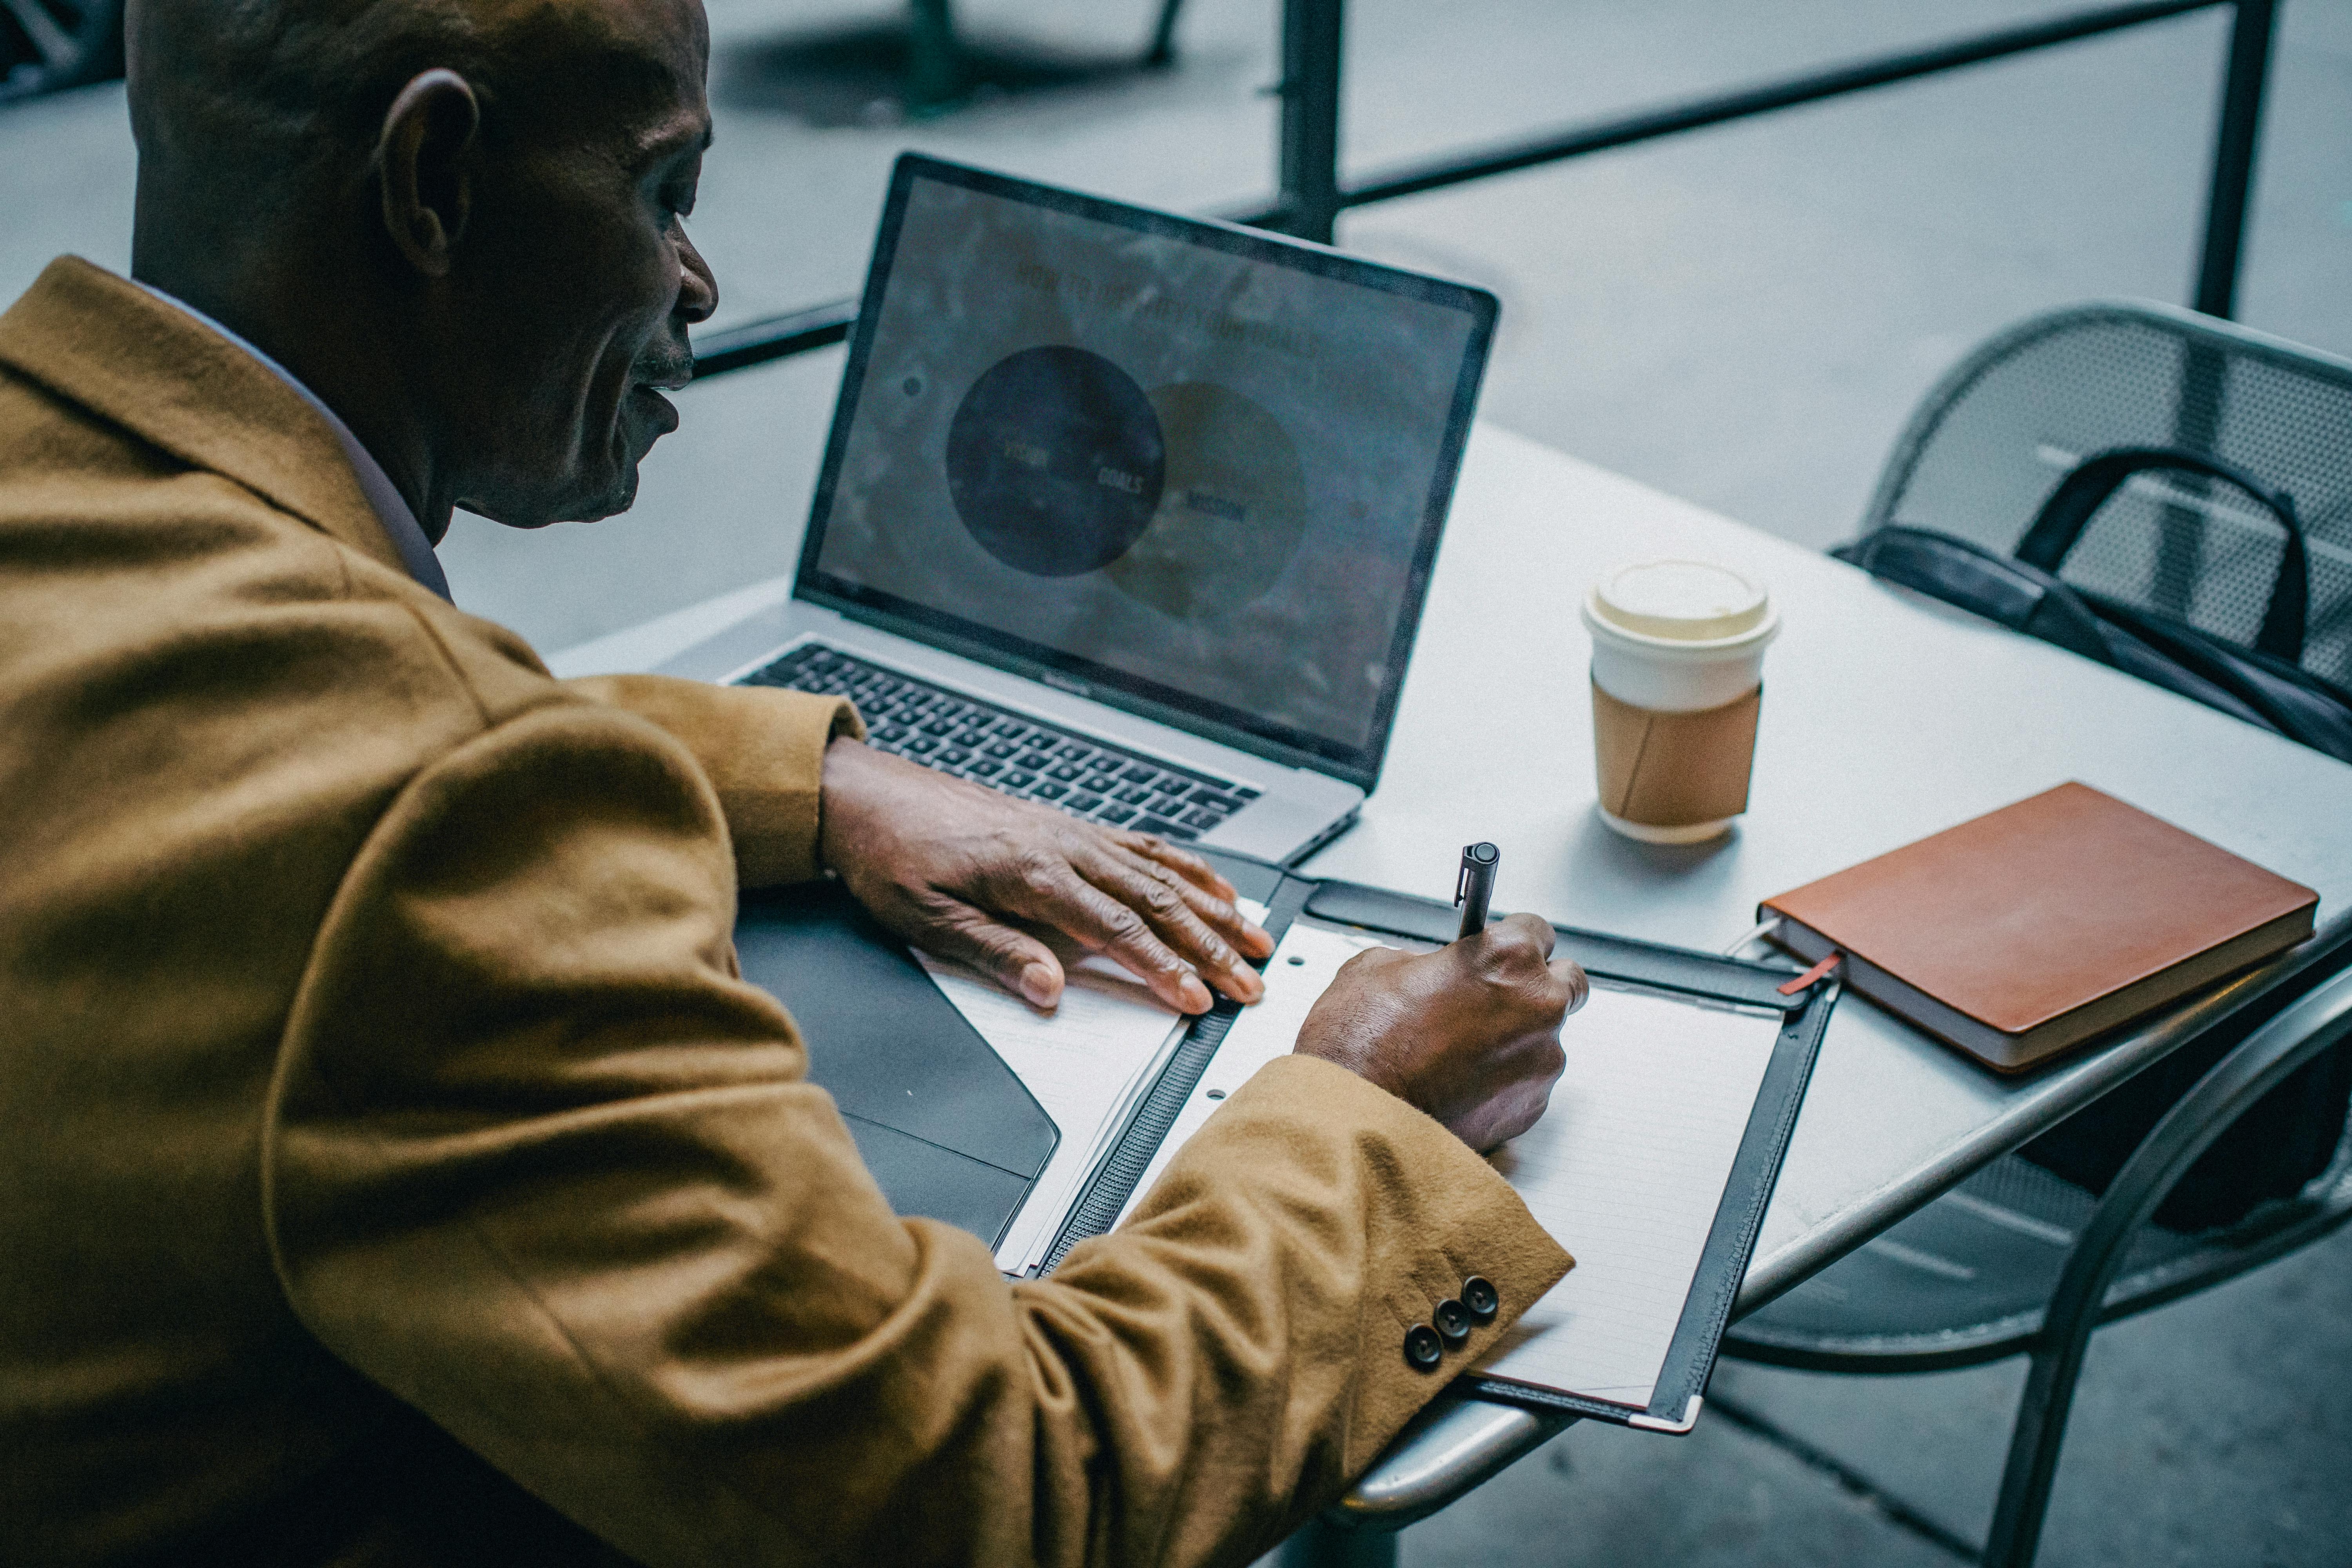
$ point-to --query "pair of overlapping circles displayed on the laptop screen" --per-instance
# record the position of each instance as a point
(1189, 497)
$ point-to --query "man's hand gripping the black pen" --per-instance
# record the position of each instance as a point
(1469, 1033)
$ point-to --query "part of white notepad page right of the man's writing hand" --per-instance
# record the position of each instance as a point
(1626, 1172)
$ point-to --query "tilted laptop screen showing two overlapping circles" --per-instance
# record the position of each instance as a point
(1189, 469)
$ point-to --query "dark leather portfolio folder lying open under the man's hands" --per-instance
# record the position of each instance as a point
(951, 1134)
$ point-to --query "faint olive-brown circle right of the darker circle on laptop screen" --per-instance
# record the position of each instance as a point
(1231, 514)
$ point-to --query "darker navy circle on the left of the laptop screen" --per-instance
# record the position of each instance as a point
(1055, 462)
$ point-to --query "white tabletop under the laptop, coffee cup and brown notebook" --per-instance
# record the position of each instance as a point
(1885, 721)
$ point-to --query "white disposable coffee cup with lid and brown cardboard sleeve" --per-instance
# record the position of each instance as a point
(1678, 683)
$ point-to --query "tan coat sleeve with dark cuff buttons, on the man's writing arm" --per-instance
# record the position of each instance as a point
(547, 1170)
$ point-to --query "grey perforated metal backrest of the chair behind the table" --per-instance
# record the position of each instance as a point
(2012, 420)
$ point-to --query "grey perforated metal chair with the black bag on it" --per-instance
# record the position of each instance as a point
(2017, 1259)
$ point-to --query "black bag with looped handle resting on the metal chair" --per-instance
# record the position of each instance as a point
(2292, 1134)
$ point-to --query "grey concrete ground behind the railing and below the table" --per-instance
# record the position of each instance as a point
(1739, 316)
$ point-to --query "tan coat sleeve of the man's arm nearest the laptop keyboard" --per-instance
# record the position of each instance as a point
(763, 751)
